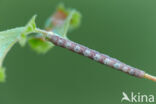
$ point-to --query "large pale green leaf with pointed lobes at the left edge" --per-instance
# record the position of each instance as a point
(10, 37)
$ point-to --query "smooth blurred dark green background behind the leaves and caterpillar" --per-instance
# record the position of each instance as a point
(124, 29)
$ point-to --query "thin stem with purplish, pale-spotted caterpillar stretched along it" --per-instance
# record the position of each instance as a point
(96, 56)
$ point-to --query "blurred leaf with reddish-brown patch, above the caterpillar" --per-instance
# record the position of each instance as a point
(63, 20)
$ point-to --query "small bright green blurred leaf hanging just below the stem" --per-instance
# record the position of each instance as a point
(39, 45)
